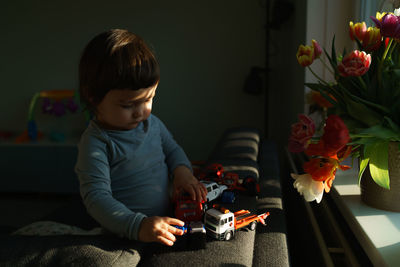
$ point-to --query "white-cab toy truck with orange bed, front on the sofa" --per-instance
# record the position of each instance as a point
(222, 224)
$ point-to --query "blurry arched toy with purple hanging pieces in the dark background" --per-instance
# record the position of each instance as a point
(55, 102)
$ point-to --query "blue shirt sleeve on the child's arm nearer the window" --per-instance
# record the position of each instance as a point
(174, 154)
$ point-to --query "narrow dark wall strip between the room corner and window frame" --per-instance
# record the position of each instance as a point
(286, 93)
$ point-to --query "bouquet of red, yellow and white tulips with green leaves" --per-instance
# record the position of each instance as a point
(363, 106)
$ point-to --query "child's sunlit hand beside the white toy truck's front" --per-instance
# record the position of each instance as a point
(160, 229)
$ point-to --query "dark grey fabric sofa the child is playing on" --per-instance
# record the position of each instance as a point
(239, 150)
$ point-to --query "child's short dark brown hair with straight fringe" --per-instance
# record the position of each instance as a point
(115, 59)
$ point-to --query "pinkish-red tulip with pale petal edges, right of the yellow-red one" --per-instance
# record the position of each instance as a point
(355, 64)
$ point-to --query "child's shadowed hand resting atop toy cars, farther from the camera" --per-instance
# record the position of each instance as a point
(185, 181)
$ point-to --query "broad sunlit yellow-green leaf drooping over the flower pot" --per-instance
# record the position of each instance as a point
(378, 164)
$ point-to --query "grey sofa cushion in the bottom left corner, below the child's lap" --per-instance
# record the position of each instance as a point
(67, 250)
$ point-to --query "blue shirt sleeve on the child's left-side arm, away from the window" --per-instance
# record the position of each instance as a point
(93, 172)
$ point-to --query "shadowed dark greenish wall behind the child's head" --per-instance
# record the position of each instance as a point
(205, 49)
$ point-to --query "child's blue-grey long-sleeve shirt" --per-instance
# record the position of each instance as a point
(123, 175)
